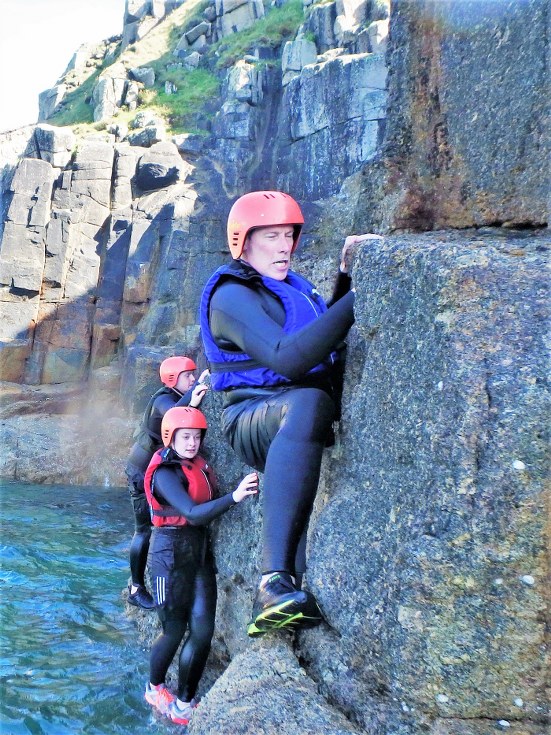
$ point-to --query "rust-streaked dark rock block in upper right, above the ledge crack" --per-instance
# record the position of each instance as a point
(456, 155)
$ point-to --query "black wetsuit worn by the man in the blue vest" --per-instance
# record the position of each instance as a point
(280, 430)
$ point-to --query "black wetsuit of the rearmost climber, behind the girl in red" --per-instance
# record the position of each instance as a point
(147, 443)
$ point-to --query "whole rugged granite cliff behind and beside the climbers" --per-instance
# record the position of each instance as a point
(427, 122)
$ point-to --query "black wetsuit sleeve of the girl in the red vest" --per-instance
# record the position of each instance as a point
(169, 486)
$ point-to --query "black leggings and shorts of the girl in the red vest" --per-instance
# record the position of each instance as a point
(184, 586)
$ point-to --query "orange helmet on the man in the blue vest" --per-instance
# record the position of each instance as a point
(261, 209)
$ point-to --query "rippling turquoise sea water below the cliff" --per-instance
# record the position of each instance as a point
(70, 660)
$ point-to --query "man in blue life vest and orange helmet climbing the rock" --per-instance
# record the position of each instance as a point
(273, 347)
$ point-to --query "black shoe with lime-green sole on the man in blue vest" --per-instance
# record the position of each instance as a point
(279, 605)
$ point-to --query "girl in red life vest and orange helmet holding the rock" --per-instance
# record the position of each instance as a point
(180, 489)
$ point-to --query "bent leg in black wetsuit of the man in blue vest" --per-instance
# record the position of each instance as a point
(283, 435)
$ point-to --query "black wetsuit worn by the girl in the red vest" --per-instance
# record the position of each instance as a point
(184, 582)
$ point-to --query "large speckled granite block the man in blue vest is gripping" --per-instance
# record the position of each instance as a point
(446, 507)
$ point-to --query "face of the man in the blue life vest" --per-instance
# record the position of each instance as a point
(268, 250)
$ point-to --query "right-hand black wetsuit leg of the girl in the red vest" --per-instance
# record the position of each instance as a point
(195, 651)
